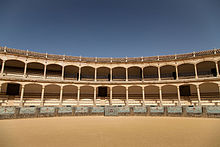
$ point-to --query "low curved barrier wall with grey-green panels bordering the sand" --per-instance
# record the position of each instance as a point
(21, 112)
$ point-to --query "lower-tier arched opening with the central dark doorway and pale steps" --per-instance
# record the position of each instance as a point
(102, 95)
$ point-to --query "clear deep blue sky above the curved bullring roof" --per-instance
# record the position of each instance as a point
(110, 28)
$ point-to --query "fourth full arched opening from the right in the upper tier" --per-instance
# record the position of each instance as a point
(150, 73)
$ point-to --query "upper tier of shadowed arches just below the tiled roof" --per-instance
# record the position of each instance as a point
(89, 73)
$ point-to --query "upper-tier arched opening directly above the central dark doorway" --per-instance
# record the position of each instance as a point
(103, 74)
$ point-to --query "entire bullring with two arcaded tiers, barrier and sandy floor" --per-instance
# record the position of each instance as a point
(184, 88)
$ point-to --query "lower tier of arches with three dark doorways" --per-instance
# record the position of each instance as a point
(128, 95)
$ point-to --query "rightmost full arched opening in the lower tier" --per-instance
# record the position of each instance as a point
(209, 91)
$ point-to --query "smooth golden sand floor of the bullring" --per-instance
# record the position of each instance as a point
(99, 131)
